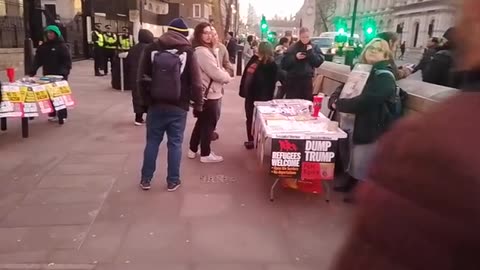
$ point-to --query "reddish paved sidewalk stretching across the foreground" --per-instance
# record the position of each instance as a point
(69, 198)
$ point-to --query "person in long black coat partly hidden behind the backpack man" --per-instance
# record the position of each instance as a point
(145, 38)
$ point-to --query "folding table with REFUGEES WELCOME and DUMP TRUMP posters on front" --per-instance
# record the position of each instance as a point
(299, 149)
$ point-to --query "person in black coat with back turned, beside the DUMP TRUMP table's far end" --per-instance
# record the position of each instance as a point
(258, 83)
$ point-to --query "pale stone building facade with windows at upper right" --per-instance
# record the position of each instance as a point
(414, 20)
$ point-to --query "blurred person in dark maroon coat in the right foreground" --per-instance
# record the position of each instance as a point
(420, 208)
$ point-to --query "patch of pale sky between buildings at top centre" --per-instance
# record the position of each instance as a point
(271, 7)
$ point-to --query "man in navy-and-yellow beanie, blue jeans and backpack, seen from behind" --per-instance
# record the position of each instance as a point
(171, 69)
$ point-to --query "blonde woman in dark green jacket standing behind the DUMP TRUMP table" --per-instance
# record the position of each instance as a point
(371, 108)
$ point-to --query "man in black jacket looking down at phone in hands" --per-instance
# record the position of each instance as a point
(300, 62)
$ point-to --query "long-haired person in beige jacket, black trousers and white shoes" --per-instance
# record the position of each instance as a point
(213, 78)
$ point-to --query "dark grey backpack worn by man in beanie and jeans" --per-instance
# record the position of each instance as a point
(168, 66)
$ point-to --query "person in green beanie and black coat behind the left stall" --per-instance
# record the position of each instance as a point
(53, 55)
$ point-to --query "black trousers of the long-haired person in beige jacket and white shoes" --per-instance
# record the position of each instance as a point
(204, 127)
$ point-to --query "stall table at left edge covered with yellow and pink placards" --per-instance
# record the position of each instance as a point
(28, 98)
